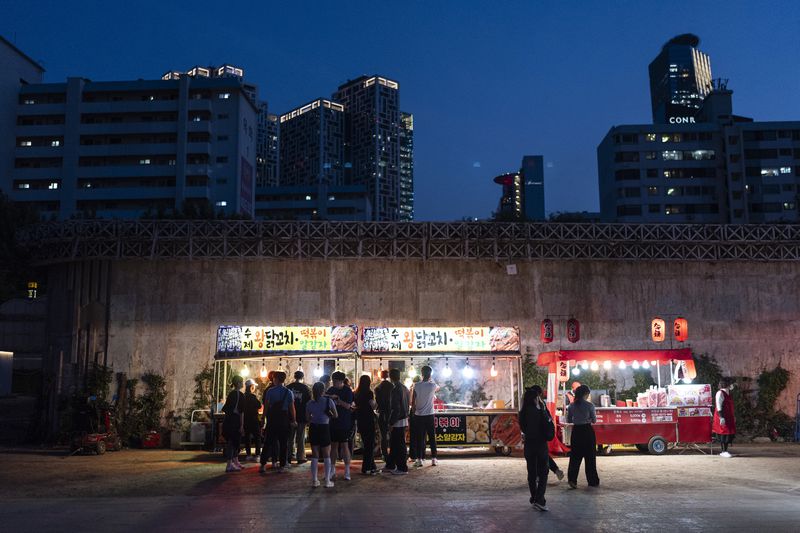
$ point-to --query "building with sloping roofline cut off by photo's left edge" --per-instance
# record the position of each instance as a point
(18, 70)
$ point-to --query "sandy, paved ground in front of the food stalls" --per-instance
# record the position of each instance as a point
(758, 490)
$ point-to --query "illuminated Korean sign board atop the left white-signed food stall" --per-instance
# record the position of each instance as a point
(235, 339)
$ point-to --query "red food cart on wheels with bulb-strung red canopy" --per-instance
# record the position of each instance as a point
(677, 414)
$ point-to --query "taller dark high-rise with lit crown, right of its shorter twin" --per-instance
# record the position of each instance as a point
(372, 141)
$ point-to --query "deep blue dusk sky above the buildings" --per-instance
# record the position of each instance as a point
(487, 81)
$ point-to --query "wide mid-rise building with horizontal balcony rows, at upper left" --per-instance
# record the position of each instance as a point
(127, 149)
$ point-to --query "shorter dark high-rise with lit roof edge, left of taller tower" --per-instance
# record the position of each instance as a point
(311, 148)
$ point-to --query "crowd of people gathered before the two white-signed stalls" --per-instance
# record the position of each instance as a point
(330, 412)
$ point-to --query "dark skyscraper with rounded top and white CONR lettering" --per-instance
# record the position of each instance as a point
(680, 78)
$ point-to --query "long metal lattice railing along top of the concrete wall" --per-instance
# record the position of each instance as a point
(55, 242)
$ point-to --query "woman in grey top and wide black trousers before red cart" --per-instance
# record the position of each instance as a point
(581, 414)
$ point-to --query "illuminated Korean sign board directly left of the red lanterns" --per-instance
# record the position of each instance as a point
(460, 339)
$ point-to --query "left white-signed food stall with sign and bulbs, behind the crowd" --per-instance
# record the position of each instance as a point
(253, 351)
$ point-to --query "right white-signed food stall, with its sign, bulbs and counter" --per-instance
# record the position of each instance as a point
(478, 371)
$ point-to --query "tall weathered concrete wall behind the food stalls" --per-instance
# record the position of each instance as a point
(164, 313)
